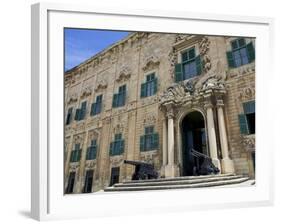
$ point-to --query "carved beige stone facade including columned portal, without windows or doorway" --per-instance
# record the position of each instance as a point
(218, 94)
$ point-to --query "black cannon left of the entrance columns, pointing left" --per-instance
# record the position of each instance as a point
(143, 170)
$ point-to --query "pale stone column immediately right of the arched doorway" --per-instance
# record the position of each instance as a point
(212, 135)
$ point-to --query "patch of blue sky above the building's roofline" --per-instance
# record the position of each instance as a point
(81, 44)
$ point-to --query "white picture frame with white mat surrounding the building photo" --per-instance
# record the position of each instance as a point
(48, 201)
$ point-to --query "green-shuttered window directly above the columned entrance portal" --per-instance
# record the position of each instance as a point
(191, 66)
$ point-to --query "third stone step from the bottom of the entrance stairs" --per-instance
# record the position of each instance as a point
(178, 178)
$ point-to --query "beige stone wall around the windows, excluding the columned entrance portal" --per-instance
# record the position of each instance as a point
(128, 62)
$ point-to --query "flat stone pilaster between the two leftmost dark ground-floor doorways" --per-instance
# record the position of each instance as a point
(82, 164)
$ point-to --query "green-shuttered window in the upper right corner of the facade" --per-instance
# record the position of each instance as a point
(241, 53)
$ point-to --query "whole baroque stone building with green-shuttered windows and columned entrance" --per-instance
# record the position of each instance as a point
(153, 97)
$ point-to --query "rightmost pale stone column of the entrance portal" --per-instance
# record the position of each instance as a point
(227, 163)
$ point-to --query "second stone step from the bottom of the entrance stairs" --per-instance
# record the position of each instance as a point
(178, 182)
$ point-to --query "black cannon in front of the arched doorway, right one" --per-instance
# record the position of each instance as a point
(207, 167)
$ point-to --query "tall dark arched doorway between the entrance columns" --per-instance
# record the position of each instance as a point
(193, 137)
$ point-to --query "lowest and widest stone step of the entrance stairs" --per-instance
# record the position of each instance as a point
(181, 186)
